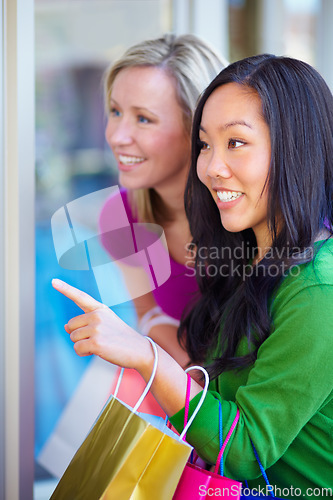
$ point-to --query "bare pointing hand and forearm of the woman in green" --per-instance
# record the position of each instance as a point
(100, 331)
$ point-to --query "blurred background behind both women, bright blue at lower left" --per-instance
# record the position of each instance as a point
(75, 40)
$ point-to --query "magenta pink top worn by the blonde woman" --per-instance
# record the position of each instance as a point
(179, 290)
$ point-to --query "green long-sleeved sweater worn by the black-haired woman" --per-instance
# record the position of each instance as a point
(285, 399)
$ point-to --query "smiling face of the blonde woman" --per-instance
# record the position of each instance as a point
(146, 131)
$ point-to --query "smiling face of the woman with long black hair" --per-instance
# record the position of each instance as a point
(234, 159)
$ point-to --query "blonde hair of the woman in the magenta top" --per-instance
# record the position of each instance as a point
(192, 63)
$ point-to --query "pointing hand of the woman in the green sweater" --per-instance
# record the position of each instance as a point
(100, 331)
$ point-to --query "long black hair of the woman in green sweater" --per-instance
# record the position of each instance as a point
(298, 108)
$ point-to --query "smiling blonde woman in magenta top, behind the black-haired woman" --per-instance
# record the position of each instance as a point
(150, 97)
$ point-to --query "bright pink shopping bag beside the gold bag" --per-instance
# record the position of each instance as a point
(197, 483)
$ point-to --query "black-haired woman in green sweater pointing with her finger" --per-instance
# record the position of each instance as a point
(259, 202)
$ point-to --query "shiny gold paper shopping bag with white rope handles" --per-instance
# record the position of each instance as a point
(125, 457)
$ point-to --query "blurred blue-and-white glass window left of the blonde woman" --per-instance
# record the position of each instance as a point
(75, 42)
